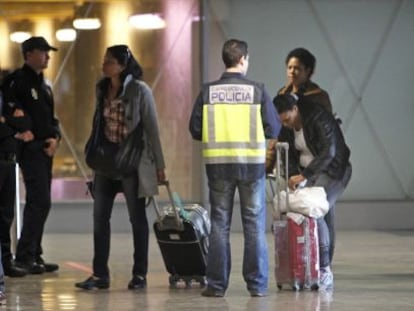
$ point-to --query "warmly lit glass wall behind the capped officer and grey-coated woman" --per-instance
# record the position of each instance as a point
(169, 57)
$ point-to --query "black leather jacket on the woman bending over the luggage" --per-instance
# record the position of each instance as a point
(324, 139)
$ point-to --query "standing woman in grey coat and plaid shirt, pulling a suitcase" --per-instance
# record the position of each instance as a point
(125, 111)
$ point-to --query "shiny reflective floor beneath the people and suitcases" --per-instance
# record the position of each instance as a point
(373, 271)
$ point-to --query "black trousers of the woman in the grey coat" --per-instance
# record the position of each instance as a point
(105, 190)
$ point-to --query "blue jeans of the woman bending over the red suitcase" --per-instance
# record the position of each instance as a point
(326, 225)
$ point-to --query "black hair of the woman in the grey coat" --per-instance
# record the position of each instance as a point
(123, 55)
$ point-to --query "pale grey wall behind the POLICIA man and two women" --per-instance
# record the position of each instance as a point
(364, 51)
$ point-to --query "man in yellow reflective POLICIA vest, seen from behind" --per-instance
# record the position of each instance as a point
(232, 117)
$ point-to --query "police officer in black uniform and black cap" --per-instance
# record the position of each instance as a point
(28, 90)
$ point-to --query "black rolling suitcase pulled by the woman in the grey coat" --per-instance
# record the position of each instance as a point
(182, 235)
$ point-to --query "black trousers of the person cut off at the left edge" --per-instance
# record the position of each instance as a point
(7, 197)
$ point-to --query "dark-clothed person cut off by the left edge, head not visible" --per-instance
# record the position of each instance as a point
(12, 130)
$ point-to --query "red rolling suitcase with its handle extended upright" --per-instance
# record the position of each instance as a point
(296, 242)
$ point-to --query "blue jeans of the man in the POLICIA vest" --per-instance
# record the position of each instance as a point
(253, 214)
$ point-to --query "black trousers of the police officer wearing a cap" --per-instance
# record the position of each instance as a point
(36, 167)
